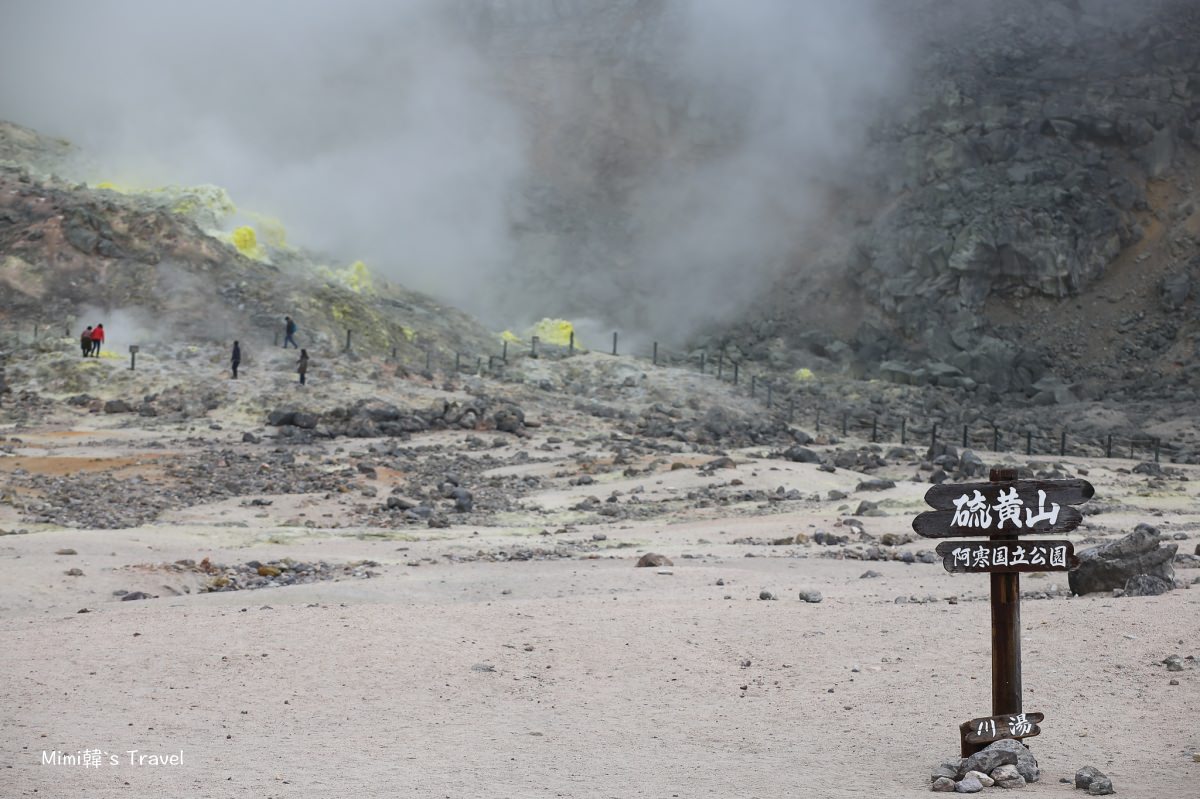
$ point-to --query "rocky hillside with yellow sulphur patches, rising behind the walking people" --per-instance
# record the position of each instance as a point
(160, 263)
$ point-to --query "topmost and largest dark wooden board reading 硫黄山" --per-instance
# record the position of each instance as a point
(1007, 508)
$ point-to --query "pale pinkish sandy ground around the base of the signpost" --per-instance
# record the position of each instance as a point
(581, 677)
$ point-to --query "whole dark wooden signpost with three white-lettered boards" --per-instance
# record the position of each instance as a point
(1001, 510)
